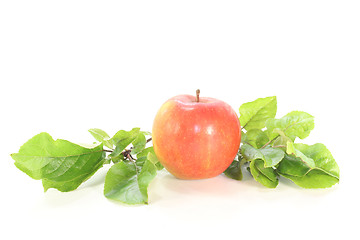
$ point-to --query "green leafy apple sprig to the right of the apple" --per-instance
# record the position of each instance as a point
(268, 146)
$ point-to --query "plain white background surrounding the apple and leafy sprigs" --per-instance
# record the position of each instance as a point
(67, 66)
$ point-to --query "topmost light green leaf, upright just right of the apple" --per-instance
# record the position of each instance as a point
(254, 114)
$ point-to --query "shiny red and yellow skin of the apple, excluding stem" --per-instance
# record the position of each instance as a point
(196, 140)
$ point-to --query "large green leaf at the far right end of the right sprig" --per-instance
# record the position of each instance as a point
(324, 173)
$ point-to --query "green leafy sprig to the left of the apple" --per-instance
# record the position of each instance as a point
(65, 166)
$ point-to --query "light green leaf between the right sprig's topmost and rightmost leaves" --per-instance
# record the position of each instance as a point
(294, 124)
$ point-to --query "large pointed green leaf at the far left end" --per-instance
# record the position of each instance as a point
(60, 164)
